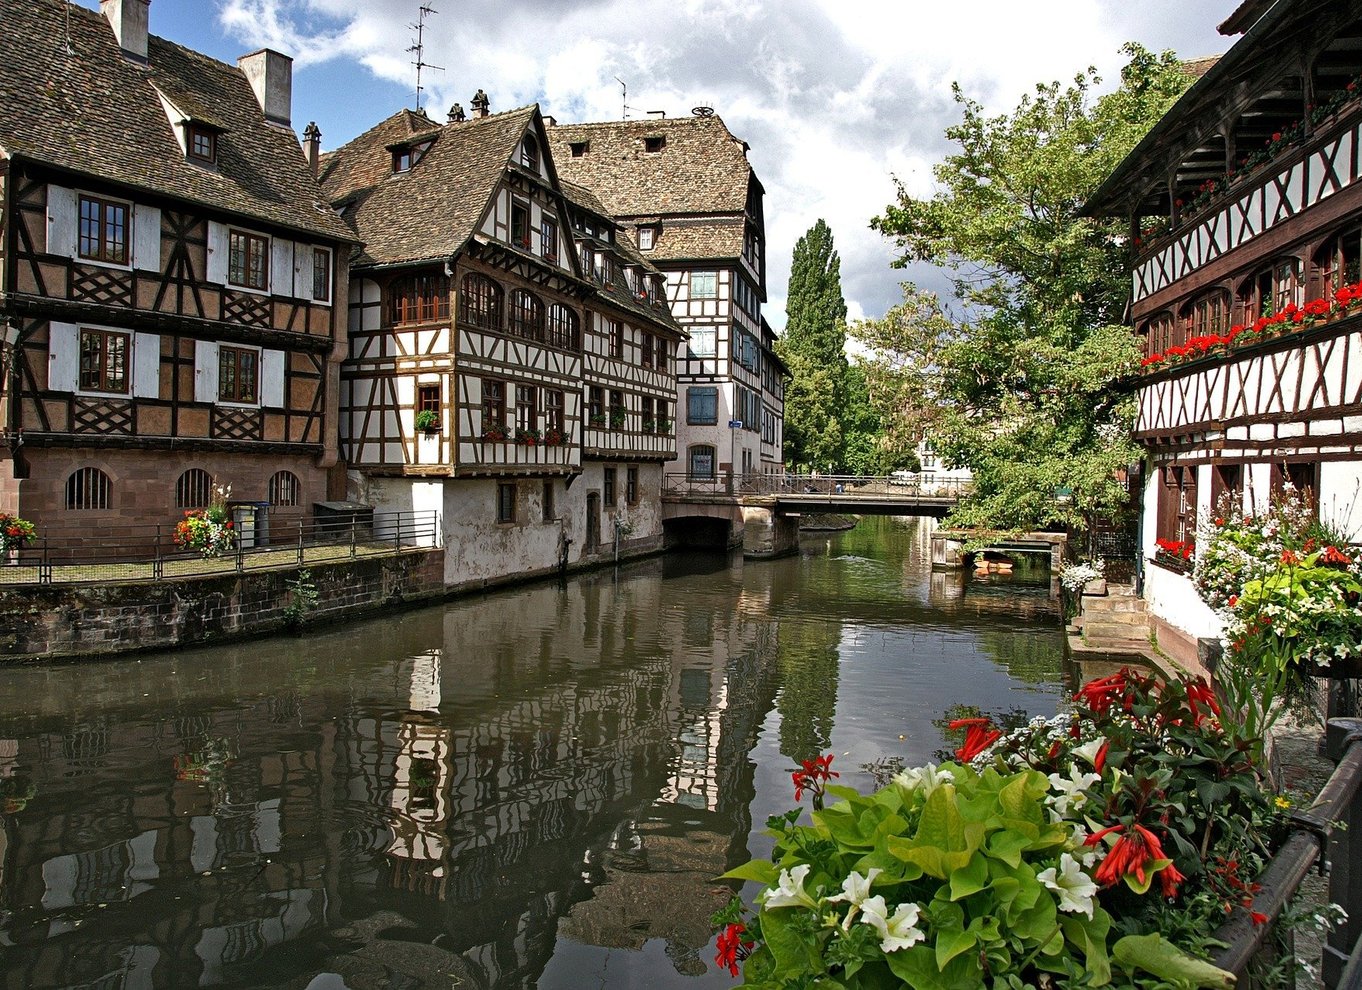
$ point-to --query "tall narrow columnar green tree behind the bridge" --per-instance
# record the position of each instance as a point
(814, 347)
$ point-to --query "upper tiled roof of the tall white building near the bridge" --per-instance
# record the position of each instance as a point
(701, 170)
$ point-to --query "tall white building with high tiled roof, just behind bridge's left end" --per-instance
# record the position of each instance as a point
(690, 199)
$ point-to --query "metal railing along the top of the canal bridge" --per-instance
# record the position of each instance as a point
(849, 485)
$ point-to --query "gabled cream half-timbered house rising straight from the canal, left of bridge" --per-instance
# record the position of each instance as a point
(472, 306)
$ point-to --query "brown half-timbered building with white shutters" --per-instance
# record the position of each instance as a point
(167, 280)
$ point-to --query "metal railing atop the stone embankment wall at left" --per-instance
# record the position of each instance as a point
(142, 554)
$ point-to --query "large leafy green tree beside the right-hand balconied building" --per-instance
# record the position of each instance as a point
(1017, 381)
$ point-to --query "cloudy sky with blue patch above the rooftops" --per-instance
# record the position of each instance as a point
(838, 99)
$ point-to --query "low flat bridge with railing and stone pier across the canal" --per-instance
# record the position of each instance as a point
(761, 511)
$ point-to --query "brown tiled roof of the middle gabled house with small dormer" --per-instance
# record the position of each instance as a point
(434, 209)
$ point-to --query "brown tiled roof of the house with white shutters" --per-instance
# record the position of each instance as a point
(74, 101)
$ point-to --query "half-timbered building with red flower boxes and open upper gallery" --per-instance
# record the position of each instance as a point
(1246, 217)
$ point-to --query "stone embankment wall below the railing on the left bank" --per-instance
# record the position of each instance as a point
(84, 620)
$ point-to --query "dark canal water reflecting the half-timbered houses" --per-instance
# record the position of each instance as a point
(528, 789)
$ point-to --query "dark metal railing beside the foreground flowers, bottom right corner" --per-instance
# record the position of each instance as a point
(1331, 831)
